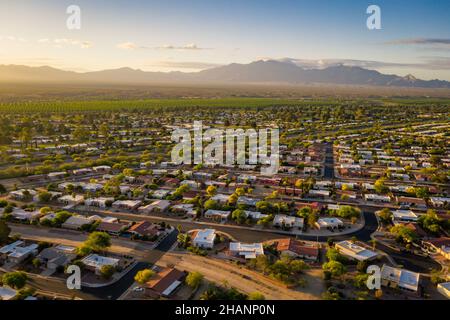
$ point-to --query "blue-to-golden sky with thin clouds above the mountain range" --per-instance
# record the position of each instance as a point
(191, 35)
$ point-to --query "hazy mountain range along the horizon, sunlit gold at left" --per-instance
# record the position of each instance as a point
(259, 72)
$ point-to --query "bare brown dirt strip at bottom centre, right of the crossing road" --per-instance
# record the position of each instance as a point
(245, 280)
